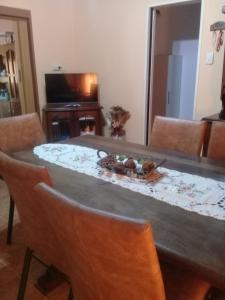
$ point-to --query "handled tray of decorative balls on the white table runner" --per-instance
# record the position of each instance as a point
(128, 166)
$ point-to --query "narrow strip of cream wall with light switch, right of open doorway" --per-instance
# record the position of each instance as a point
(210, 76)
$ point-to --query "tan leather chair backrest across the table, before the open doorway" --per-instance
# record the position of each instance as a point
(178, 135)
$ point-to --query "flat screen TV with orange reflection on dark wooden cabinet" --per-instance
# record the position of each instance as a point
(71, 87)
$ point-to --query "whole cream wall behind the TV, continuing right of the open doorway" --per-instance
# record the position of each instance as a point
(111, 37)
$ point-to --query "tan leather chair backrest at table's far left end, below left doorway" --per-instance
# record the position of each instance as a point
(20, 132)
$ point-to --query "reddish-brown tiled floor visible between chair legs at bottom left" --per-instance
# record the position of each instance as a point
(11, 259)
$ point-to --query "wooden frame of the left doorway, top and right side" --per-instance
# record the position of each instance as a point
(11, 13)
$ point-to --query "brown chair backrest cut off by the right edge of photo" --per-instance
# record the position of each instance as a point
(216, 147)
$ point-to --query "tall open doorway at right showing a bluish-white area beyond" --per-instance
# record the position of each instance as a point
(173, 60)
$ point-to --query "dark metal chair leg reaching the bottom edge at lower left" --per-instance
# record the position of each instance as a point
(25, 273)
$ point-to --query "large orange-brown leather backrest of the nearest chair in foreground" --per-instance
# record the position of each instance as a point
(109, 257)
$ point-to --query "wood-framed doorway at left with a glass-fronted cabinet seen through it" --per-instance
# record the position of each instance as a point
(18, 86)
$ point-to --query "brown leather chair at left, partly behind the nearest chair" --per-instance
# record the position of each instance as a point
(40, 239)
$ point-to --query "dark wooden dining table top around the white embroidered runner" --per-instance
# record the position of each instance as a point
(188, 239)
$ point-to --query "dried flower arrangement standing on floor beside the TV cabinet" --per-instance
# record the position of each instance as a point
(117, 118)
